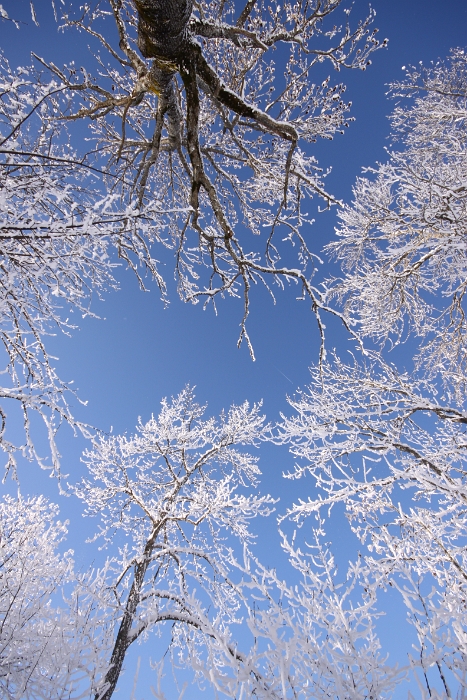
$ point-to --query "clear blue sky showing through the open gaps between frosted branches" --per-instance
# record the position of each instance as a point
(140, 351)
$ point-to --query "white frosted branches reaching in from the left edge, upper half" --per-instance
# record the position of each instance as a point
(56, 227)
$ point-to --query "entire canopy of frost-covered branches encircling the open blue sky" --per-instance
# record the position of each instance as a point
(187, 138)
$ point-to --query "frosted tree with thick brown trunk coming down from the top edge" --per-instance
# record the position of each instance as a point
(212, 110)
